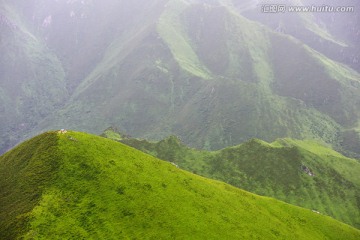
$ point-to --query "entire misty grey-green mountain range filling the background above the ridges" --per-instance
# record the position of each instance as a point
(217, 73)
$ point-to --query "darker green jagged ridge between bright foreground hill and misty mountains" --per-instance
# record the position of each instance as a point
(303, 173)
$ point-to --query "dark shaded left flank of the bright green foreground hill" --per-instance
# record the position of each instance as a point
(25, 172)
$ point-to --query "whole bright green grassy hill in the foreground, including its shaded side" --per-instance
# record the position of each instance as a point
(78, 186)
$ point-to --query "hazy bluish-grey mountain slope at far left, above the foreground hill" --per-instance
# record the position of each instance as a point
(32, 79)
